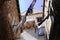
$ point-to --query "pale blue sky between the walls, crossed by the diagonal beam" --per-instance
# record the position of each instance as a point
(24, 5)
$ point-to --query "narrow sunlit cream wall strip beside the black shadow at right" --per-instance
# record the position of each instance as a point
(48, 21)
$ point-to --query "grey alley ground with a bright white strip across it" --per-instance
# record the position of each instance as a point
(31, 35)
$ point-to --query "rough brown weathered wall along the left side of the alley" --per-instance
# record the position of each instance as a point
(8, 11)
